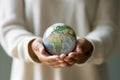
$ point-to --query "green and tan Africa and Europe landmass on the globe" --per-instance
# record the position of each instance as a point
(59, 35)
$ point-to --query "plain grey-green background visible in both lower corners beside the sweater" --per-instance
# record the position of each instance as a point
(5, 66)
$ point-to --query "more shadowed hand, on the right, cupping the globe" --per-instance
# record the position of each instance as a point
(82, 52)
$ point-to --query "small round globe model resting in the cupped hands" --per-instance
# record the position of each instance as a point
(59, 38)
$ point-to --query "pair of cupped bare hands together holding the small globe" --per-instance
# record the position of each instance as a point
(82, 52)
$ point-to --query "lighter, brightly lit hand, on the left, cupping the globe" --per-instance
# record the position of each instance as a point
(51, 60)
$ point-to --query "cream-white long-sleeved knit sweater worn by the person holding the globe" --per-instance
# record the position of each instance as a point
(23, 20)
